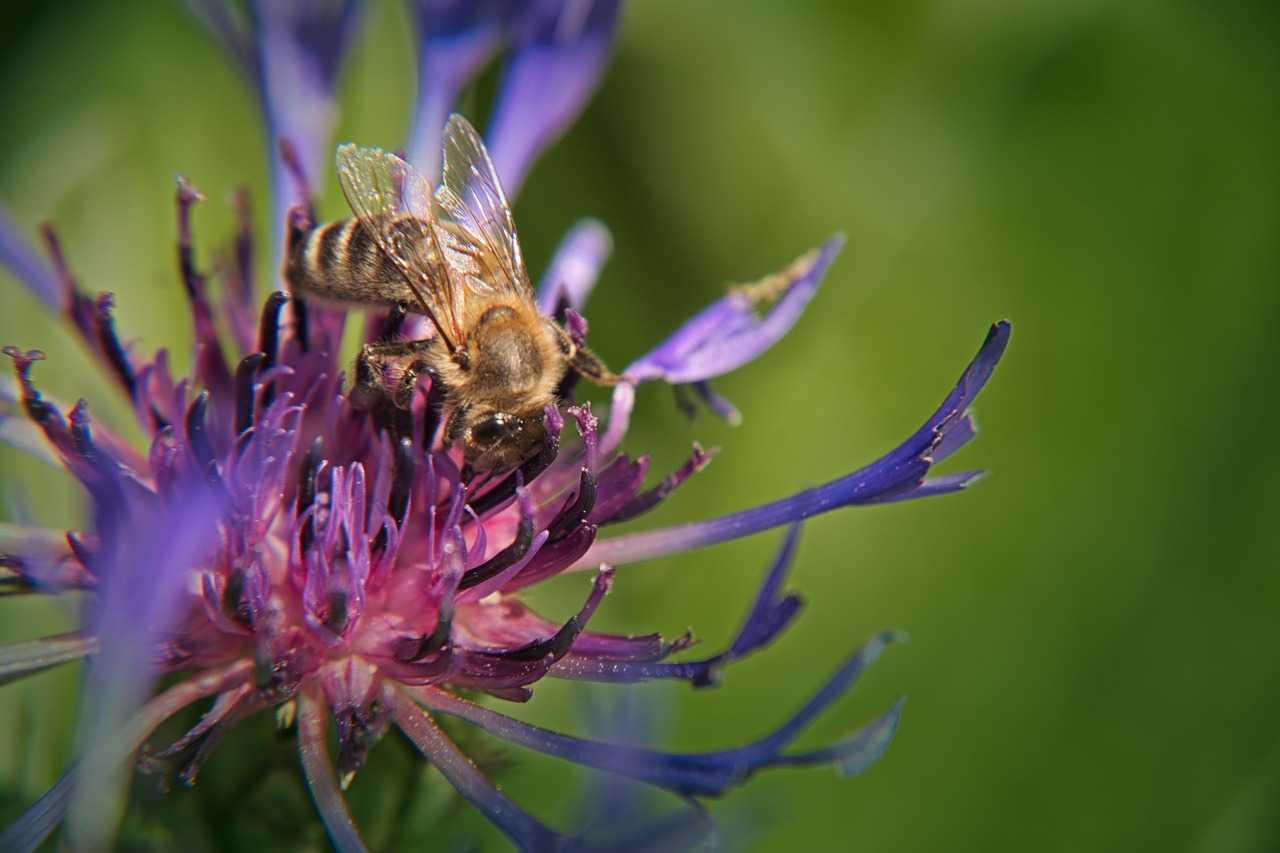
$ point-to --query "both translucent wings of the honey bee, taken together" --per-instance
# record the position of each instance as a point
(451, 243)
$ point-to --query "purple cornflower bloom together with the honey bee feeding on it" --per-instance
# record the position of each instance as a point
(350, 554)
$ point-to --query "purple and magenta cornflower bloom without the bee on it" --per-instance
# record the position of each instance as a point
(275, 548)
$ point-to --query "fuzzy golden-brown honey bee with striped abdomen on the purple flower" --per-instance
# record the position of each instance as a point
(454, 257)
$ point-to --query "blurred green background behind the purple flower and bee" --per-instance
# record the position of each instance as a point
(1095, 658)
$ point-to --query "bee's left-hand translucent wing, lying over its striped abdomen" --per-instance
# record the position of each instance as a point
(395, 206)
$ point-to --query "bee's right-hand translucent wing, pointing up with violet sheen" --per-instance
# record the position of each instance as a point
(477, 230)
